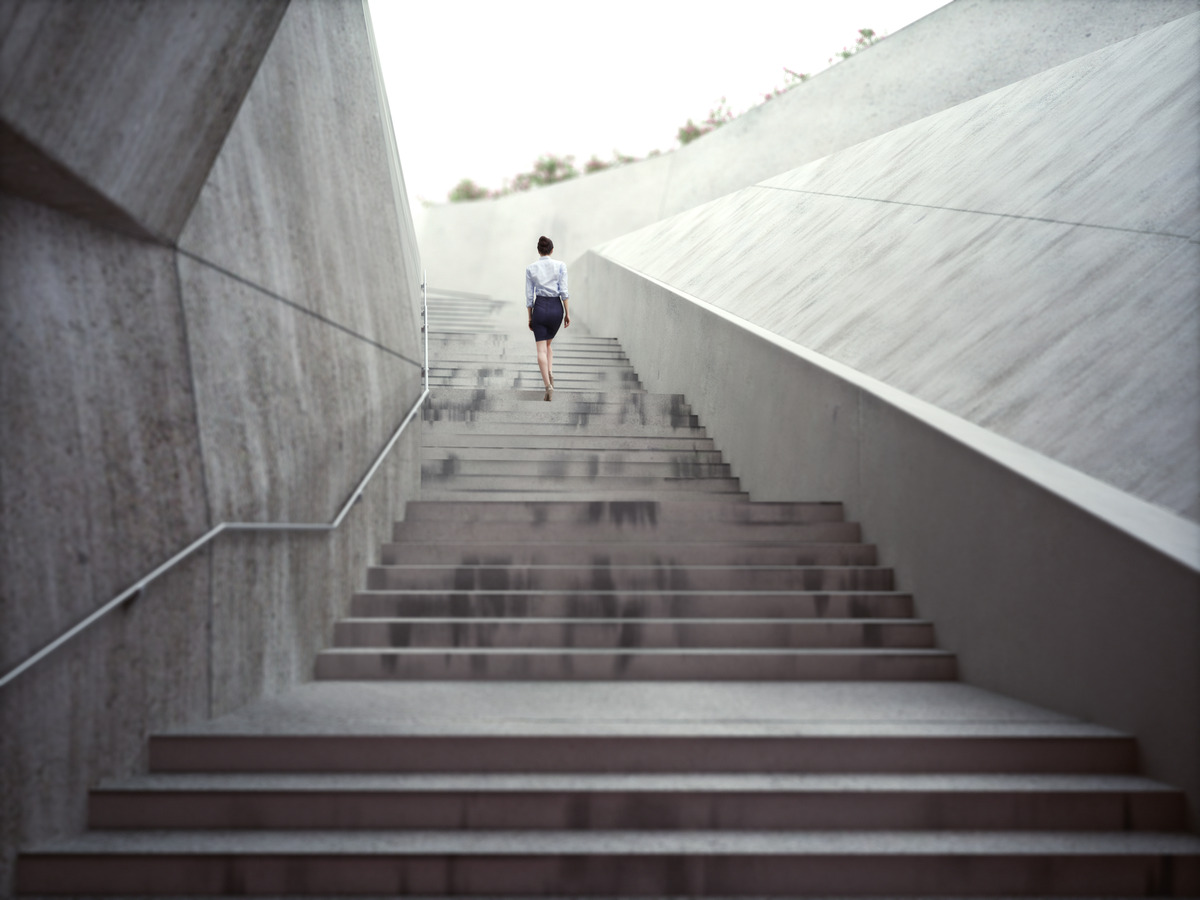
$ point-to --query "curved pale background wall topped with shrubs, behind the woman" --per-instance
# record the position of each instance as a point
(961, 52)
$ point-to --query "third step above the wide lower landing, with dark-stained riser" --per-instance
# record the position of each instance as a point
(675, 605)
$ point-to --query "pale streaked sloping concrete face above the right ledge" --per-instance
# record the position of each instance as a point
(1045, 235)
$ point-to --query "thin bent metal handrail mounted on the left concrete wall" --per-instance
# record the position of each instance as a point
(356, 496)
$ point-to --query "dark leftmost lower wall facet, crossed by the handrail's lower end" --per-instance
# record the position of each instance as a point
(101, 479)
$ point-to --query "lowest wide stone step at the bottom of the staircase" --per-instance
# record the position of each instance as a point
(711, 863)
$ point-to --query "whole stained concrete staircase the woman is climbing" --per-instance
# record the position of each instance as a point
(589, 665)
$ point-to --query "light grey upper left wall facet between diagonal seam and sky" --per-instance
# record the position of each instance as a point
(298, 201)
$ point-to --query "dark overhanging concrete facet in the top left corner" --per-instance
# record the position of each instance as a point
(80, 83)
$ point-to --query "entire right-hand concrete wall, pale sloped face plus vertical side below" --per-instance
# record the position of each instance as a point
(867, 328)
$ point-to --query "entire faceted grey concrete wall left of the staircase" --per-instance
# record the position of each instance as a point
(247, 364)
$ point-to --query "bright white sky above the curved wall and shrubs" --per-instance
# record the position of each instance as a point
(482, 88)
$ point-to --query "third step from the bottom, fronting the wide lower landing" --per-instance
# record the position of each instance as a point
(491, 746)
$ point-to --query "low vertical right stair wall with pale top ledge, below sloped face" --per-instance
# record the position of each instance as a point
(1049, 585)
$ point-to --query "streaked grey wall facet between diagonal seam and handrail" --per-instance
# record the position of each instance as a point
(271, 382)
